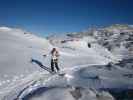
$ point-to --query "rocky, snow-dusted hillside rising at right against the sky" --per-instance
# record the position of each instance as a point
(116, 38)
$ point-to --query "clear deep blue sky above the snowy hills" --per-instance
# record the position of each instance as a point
(44, 17)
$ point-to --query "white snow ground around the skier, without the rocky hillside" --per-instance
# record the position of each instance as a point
(84, 68)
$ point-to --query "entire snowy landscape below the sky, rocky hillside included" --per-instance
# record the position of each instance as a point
(87, 65)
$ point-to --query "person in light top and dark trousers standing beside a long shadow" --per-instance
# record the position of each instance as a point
(54, 59)
